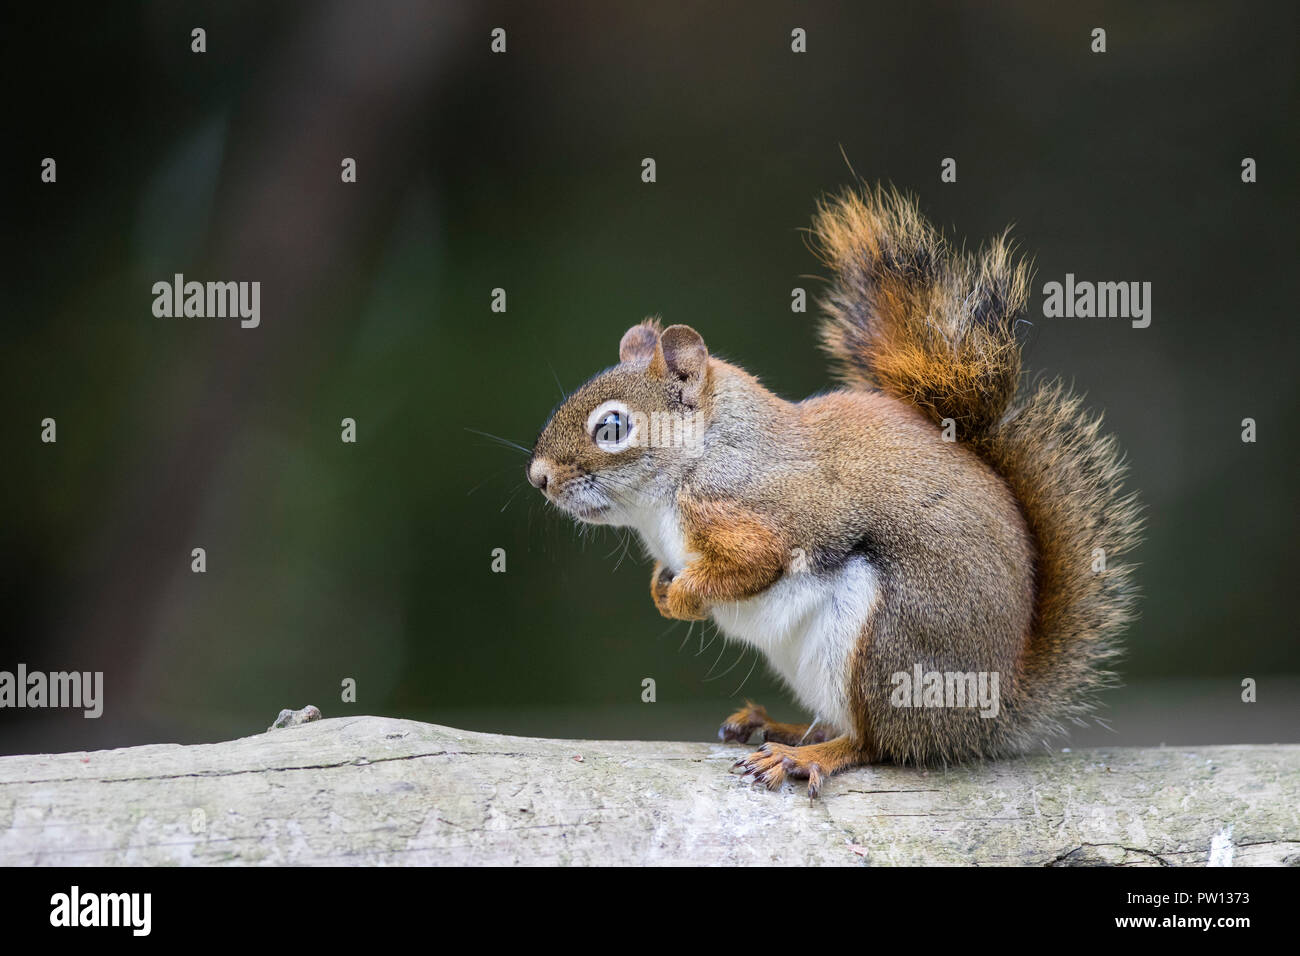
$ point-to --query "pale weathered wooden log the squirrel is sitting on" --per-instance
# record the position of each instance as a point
(372, 790)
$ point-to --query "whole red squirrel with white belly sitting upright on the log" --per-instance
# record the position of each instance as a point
(929, 518)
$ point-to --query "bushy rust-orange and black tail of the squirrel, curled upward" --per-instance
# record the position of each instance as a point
(935, 327)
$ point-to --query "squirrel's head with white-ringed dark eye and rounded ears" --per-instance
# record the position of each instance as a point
(626, 438)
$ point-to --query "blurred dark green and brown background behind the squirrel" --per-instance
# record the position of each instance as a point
(372, 561)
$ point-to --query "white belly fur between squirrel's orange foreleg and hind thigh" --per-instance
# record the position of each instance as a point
(808, 625)
